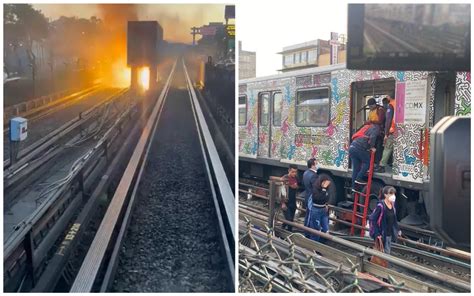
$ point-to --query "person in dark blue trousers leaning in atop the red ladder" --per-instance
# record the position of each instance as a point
(363, 141)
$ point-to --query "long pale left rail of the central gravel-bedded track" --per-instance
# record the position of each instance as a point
(96, 253)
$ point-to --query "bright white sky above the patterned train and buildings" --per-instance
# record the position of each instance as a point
(287, 23)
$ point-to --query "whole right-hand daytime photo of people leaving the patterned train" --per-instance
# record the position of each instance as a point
(354, 147)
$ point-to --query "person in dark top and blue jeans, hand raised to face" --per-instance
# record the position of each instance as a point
(317, 208)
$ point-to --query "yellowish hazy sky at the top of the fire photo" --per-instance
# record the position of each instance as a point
(176, 19)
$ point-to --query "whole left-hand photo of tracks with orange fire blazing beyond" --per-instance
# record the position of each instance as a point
(119, 135)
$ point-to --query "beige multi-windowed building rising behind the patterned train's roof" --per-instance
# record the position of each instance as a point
(314, 53)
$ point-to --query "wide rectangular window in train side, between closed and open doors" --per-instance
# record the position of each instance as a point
(312, 107)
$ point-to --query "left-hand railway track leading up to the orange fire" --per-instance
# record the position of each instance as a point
(45, 189)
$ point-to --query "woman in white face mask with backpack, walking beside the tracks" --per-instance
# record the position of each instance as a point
(383, 220)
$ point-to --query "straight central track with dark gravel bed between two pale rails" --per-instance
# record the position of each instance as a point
(170, 224)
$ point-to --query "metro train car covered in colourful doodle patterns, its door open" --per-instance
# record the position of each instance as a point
(288, 118)
